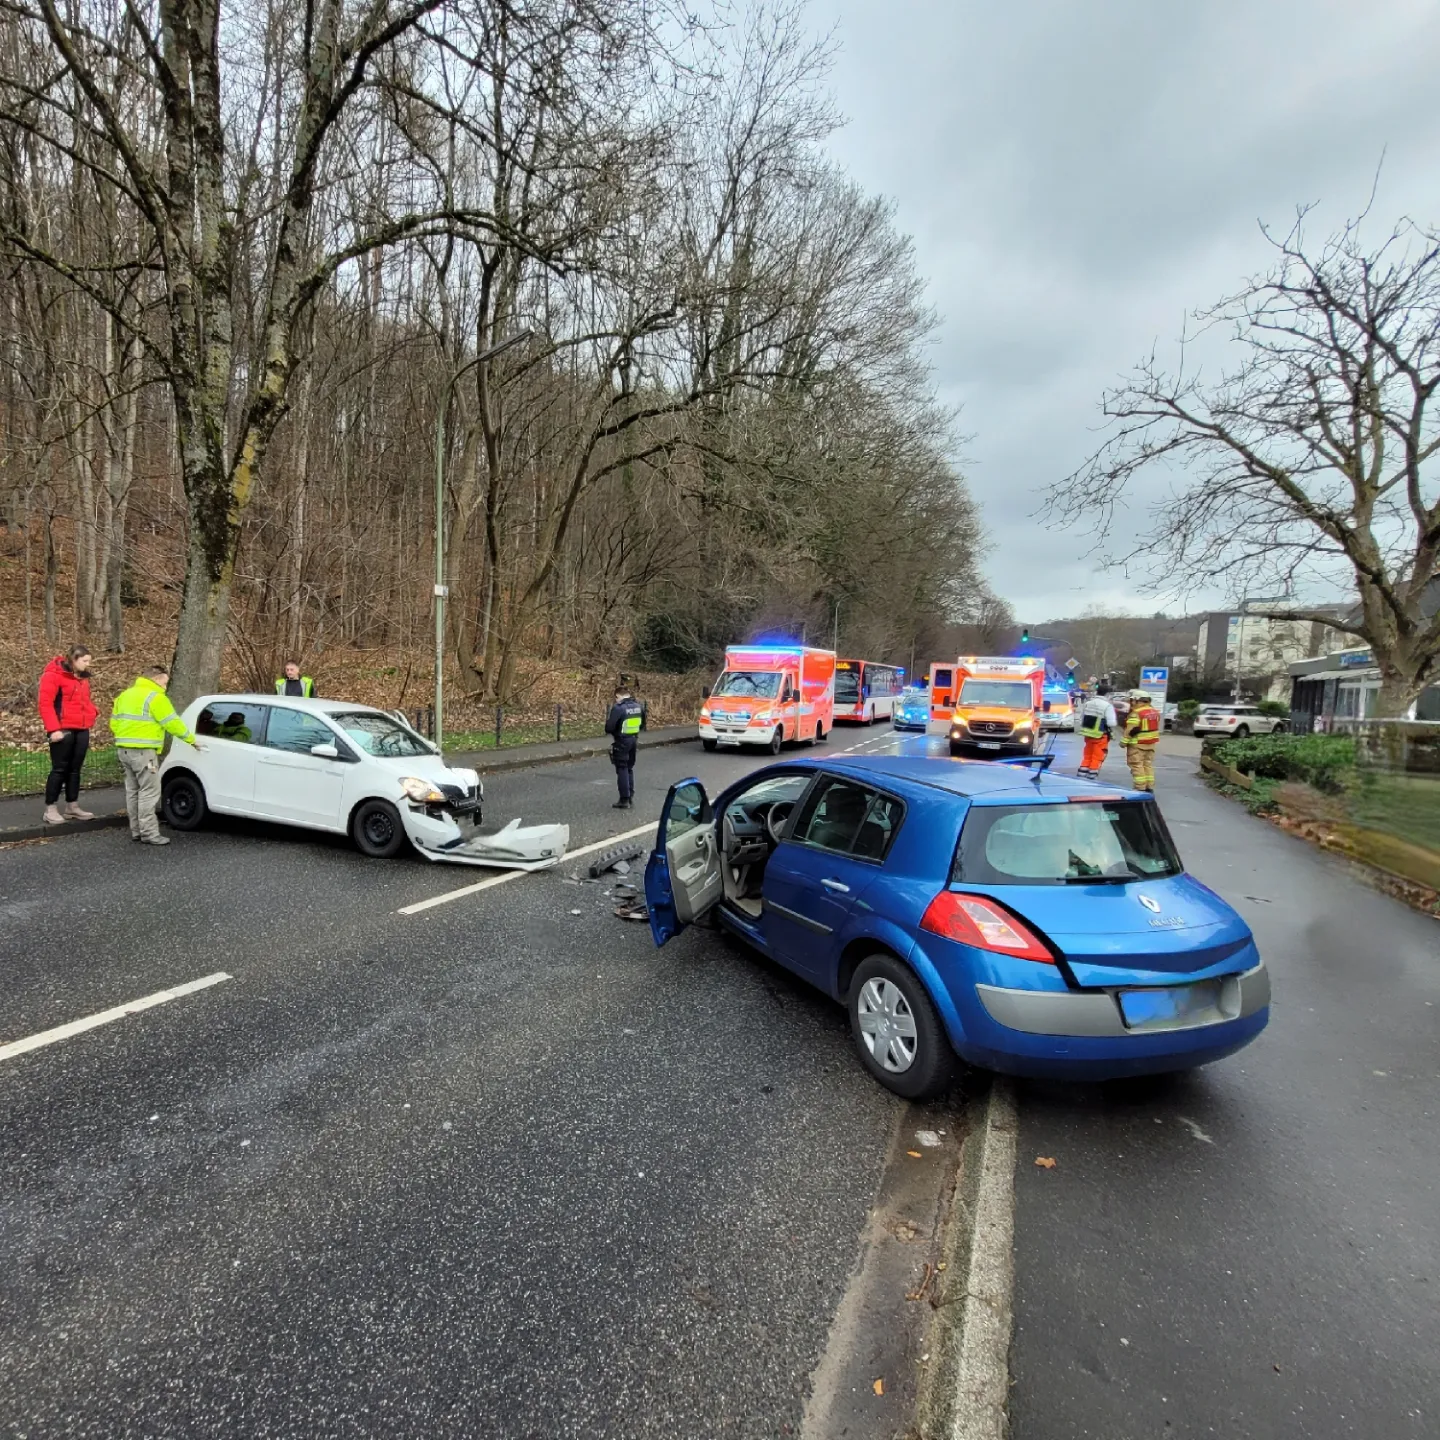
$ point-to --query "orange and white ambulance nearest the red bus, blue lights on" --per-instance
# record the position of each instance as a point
(770, 695)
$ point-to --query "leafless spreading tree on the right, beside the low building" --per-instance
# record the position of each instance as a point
(1314, 459)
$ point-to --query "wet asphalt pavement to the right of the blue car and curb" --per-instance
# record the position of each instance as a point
(1252, 1251)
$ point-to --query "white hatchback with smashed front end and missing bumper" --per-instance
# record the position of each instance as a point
(323, 765)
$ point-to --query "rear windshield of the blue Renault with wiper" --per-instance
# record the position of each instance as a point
(1065, 845)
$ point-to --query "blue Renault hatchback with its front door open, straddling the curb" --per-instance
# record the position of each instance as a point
(987, 912)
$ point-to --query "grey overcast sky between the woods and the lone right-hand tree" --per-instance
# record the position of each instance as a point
(1079, 176)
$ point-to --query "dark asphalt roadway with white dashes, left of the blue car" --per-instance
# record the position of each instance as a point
(496, 1169)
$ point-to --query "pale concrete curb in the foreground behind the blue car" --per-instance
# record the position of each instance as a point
(970, 1389)
